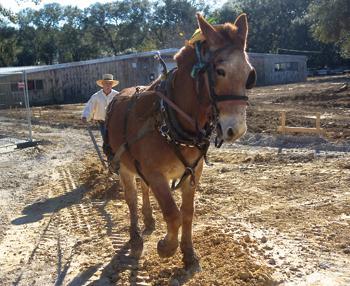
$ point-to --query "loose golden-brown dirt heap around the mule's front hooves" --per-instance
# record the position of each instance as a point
(224, 261)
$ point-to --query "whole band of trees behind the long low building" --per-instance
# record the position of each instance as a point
(61, 34)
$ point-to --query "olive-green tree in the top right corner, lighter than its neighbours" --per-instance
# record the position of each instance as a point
(330, 22)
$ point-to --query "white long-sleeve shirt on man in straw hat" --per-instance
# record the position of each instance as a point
(95, 108)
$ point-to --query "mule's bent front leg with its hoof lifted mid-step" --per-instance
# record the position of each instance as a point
(167, 246)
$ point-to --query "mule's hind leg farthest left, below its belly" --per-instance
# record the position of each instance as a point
(130, 191)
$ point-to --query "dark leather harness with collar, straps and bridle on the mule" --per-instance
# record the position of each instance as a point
(165, 118)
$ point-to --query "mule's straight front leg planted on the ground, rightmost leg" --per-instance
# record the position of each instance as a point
(190, 258)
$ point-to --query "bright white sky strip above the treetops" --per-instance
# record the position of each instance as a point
(16, 5)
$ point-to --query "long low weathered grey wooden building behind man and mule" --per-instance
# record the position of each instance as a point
(76, 82)
